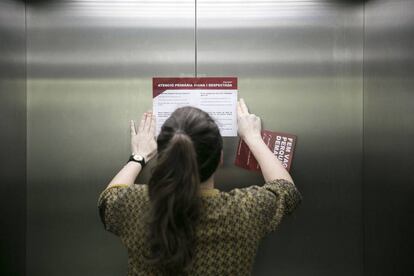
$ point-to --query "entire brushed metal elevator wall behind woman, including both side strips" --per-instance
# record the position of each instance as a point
(338, 74)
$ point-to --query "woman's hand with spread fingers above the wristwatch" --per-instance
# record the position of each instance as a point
(143, 138)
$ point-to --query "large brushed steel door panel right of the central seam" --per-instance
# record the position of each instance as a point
(299, 65)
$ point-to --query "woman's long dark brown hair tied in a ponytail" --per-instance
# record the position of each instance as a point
(189, 150)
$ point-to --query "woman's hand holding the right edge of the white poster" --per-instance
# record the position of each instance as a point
(249, 125)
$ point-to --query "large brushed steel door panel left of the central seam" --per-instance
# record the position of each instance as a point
(90, 65)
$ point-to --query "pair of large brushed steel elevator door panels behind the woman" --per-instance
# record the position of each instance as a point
(90, 65)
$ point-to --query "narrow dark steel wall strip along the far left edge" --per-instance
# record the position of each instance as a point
(12, 137)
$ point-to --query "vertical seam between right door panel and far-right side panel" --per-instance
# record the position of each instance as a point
(363, 144)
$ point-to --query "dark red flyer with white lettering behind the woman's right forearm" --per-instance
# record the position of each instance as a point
(281, 144)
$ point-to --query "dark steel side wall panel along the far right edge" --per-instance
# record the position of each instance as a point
(388, 137)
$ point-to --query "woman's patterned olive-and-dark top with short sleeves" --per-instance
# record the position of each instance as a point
(228, 234)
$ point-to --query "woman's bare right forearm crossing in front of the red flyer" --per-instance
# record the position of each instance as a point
(271, 167)
